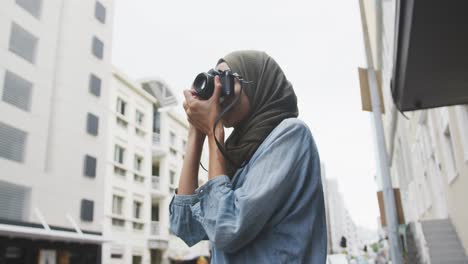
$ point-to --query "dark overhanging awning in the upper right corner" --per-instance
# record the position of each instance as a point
(431, 54)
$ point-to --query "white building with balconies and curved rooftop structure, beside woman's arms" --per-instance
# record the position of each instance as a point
(170, 132)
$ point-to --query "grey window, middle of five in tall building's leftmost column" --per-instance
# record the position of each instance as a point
(17, 91)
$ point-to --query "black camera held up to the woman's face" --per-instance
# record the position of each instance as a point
(204, 83)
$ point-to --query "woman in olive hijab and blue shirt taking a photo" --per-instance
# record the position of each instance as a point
(263, 202)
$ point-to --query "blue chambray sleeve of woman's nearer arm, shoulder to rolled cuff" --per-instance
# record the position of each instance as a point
(232, 218)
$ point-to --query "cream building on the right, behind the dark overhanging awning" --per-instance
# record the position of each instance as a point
(428, 150)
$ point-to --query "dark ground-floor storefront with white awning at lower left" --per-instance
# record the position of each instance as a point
(24, 243)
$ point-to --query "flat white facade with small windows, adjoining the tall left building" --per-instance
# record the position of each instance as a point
(127, 206)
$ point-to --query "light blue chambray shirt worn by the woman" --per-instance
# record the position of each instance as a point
(271, 212)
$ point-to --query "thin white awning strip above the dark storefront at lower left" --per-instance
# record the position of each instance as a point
(51, 234)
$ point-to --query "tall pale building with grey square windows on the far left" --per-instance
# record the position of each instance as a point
(53, 128)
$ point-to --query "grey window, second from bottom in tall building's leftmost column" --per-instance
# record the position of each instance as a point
(12, 143)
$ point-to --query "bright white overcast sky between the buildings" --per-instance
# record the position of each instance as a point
(318, 44)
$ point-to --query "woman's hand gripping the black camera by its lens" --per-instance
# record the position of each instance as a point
(202, 113)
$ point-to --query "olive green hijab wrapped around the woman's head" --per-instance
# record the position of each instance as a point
(272, 99)
